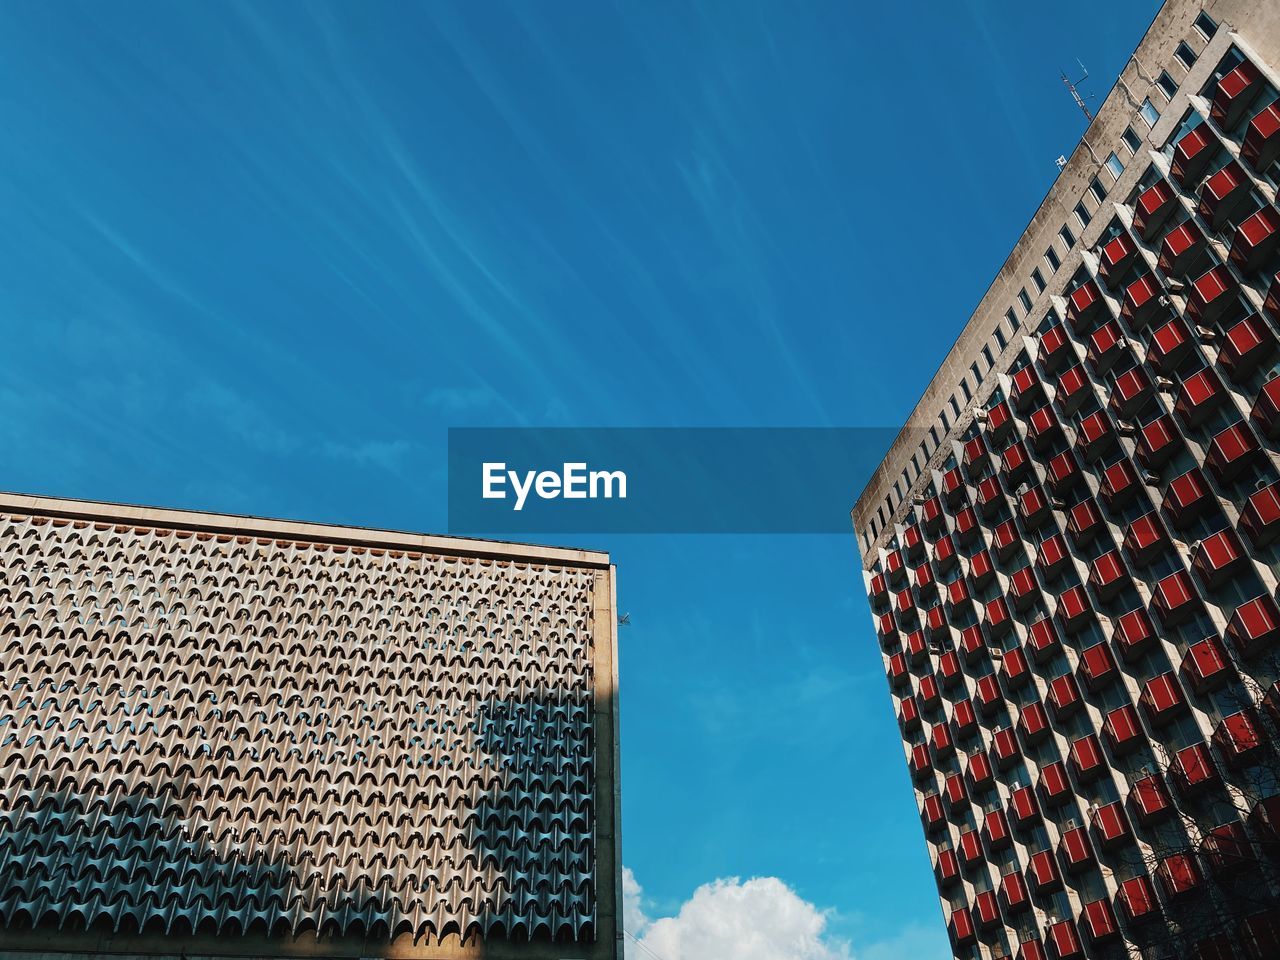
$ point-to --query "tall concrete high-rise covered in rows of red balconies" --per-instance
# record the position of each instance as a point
(1071, 550)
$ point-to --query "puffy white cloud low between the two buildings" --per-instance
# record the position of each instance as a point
(732, 920)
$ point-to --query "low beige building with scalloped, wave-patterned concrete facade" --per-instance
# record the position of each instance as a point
(231, 737)
